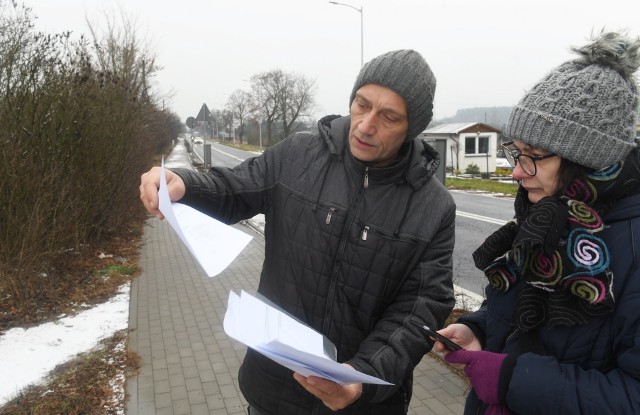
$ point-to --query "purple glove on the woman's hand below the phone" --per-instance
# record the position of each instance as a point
(484, 371)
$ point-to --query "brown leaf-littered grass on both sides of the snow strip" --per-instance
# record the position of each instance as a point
(94, 382)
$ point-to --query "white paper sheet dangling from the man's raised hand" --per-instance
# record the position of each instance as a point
(213, 244)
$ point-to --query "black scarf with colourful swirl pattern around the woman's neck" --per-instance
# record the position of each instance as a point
(556, 247)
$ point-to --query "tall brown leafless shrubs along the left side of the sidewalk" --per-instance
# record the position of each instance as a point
(78, 128)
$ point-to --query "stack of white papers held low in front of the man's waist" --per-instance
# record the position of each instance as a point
(286, 341)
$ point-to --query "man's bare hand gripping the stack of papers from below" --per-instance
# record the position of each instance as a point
(333, 395)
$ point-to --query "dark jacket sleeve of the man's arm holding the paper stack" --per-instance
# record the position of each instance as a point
(397, 343)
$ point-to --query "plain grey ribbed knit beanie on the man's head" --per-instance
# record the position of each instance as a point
(407, 74)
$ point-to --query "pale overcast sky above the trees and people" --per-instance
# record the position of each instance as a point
(483, 53)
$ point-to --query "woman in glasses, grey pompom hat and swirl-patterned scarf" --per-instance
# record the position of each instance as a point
(559, 331)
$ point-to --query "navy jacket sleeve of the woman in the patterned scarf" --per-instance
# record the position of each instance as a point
(544, 385)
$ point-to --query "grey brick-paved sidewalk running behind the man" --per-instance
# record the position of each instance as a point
(189, 365)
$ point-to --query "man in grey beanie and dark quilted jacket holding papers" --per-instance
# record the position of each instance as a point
(358, 235)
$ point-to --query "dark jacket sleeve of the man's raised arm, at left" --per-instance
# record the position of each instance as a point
(233, 194)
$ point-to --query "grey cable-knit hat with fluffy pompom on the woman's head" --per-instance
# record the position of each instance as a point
(585, 110)
